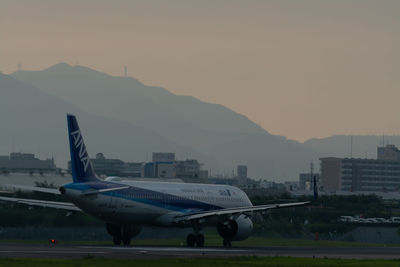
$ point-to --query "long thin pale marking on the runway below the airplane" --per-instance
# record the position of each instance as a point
(174, 249)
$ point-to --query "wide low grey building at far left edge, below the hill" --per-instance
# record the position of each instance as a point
(26, 163)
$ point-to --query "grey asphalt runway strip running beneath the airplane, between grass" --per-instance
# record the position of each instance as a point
(70, 251)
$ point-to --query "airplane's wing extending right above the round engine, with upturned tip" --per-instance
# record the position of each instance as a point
(234, 211)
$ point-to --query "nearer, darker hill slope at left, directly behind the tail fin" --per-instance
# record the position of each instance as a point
(34, 121)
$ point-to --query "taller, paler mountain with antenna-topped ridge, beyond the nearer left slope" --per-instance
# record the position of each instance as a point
(224, 137)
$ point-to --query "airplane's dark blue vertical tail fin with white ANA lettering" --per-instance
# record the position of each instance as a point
(82, 170)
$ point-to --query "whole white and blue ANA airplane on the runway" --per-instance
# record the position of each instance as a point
(127, 206)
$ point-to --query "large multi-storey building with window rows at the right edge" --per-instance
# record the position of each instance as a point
(355, 174)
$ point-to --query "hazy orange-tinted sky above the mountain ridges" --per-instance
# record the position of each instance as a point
(300, 69)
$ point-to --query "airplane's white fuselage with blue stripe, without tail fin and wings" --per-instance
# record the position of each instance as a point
(154, 203)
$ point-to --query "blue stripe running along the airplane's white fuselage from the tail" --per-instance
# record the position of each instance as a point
(154, 198)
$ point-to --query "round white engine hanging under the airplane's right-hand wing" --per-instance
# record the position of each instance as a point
(236, 229)
